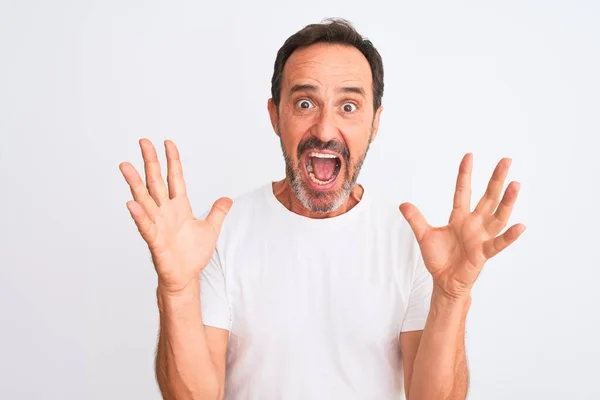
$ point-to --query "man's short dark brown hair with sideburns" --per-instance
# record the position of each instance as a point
(334, 31)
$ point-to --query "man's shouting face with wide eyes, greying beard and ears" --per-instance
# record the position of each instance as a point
(325, 122)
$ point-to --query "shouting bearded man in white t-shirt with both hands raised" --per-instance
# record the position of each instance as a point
(313, 288)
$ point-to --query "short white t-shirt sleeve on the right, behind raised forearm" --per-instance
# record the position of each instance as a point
(419, 299)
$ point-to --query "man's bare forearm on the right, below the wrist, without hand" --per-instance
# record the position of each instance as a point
(440, 367)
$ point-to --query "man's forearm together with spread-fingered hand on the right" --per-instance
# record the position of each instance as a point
(454, 255)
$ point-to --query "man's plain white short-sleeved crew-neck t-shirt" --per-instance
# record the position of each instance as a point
(314, 307)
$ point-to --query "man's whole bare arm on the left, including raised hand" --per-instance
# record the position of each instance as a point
(190, 358)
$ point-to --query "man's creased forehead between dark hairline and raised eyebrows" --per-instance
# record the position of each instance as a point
(327, 65)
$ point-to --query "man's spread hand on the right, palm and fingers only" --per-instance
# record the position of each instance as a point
(455, 254)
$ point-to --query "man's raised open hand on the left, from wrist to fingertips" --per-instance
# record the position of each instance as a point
(181, 245)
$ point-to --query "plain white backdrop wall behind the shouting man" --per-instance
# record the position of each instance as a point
(82, 81)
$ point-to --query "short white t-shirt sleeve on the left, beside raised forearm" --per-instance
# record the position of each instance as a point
(213, 295)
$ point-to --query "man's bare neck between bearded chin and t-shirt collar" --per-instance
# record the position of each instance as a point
(284, 192)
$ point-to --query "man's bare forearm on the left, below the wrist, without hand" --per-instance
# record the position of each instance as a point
(184, 368)
